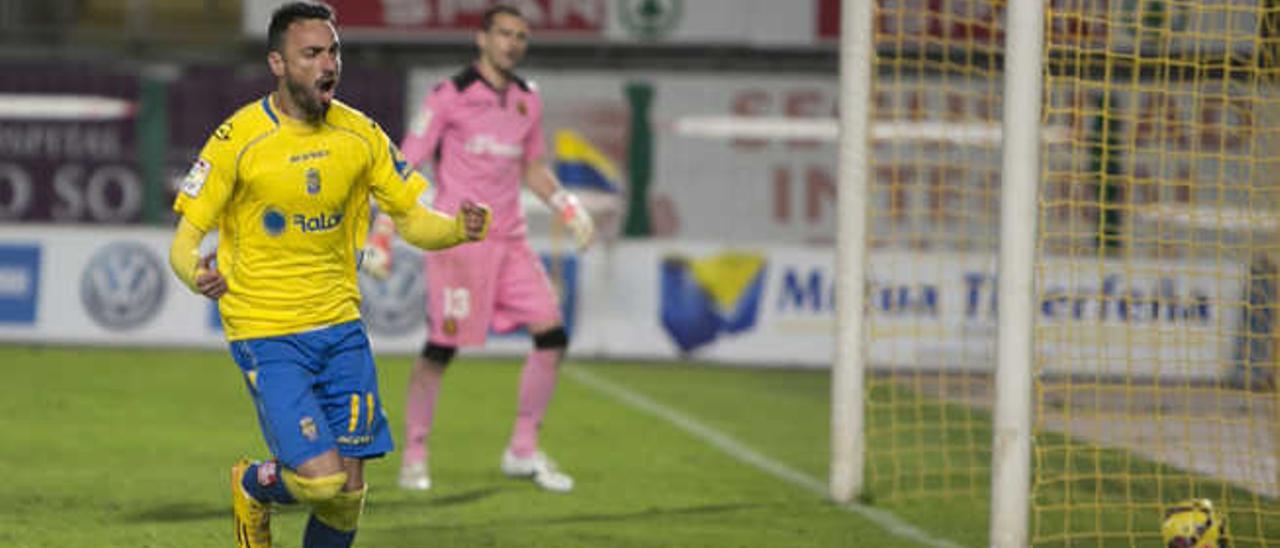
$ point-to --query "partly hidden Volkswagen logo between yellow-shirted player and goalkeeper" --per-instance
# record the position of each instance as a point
(397, 305)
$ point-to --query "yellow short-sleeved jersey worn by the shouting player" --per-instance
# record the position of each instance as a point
(291, 204)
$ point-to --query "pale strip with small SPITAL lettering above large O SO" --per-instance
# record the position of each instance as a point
(61, 141)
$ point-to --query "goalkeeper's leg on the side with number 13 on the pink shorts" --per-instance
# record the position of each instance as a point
(459, 299)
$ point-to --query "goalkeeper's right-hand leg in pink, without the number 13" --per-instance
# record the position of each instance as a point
(525, 298)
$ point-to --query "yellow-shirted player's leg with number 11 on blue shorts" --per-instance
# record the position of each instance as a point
(348, 387)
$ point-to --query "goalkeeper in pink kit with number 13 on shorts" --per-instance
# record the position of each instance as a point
(483, 131)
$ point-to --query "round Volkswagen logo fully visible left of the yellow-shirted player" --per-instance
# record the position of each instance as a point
(124, 286)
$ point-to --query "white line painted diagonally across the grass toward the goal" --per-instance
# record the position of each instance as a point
(747, 455)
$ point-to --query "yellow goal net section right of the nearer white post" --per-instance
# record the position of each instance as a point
(1156, 280)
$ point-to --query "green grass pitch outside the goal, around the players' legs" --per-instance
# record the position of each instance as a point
(115, 447)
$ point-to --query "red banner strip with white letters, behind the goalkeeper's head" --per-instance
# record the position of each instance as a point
(412, 19)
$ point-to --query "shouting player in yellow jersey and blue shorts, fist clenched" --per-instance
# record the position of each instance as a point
(287, 182)
